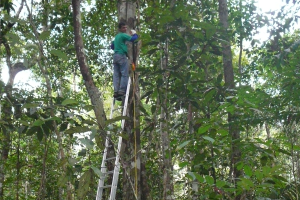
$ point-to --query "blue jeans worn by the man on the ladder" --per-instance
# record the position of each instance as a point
(121, 74)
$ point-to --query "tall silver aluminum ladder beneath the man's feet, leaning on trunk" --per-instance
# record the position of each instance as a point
(116, 171)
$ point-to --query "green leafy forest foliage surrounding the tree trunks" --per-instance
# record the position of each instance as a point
(42, 126)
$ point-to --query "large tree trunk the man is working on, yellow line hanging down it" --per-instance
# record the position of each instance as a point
(131, 155)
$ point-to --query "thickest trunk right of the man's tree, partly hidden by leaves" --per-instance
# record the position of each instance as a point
(229, 81)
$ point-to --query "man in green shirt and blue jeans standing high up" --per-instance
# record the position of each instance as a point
(120, 62)
